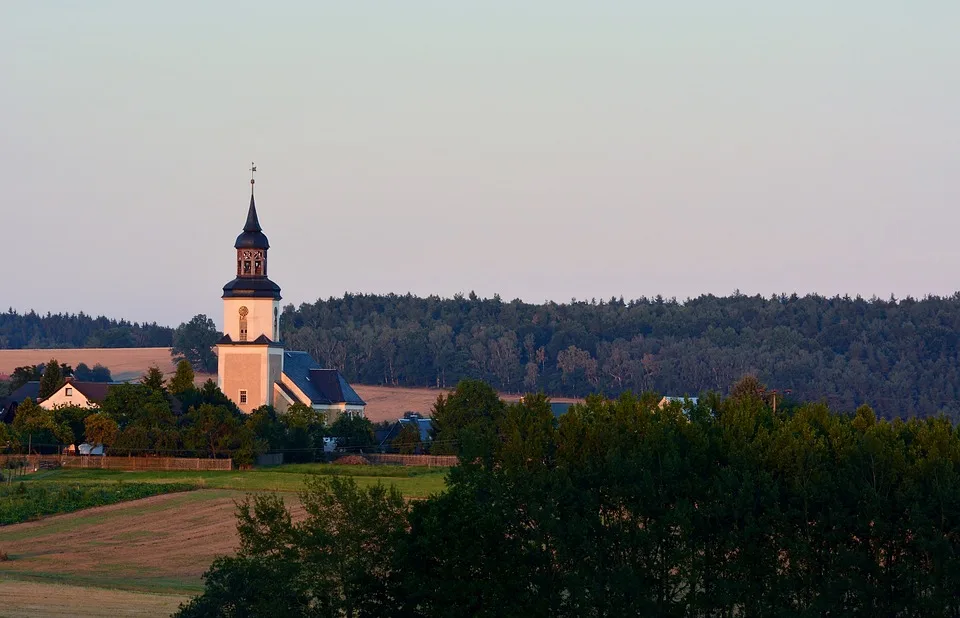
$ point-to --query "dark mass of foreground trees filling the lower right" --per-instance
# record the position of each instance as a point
(623, 508)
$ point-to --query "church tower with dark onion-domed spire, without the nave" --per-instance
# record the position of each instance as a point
(250, 355)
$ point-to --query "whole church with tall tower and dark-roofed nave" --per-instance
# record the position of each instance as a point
(253, 369)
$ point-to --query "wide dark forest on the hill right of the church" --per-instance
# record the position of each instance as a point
(901, 357)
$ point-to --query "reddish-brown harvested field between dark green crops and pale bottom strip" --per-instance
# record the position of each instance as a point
(161, 544)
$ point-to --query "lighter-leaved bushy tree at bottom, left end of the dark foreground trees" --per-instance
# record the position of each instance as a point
(337, 561)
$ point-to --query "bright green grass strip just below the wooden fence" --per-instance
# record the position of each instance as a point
(413, 482)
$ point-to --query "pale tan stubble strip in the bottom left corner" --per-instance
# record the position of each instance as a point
(20, 599)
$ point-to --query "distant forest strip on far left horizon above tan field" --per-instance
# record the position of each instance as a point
(62, 330)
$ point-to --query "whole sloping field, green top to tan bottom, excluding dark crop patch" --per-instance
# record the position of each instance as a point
(146, 556)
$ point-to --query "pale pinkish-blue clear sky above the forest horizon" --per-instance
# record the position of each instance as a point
(540, 149)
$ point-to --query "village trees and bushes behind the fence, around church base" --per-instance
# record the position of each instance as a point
(175, 418)
